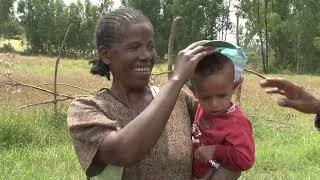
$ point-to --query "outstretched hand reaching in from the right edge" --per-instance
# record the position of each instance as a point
(295, 96)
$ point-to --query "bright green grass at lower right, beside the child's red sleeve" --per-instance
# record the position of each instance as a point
(284, 153)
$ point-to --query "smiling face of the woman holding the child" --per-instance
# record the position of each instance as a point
(132, 59)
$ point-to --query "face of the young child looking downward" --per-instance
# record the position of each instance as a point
(214, 92)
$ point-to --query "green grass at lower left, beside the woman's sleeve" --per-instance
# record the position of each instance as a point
(35, 144)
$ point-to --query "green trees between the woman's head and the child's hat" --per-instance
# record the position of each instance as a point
(199, 20)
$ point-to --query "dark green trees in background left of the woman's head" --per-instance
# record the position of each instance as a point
(46, 21)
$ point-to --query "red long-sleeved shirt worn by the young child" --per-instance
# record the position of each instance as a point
(231, 133)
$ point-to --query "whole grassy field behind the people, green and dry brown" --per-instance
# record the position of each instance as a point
(35, 145)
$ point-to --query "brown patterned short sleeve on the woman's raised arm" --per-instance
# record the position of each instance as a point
(88, 126)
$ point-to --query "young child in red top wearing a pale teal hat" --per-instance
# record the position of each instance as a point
(221, 134)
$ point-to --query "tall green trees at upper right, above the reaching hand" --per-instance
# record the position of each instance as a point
(293, 32)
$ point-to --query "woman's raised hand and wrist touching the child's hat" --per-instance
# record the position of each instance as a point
(188, 59)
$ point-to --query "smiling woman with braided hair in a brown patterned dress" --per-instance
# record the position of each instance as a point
(131, 125)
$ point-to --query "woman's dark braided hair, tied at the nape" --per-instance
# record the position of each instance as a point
(110, 29)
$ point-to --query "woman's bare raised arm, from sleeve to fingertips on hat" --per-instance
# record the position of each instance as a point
(131, 143)
